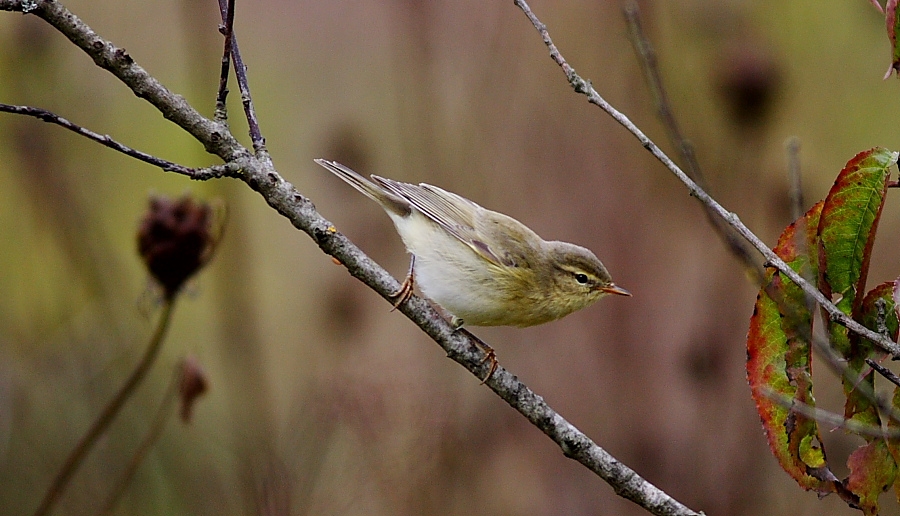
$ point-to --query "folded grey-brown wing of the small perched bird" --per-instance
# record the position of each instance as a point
(454, 213)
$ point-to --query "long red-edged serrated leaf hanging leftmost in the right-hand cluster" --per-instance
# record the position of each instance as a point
(778, 359)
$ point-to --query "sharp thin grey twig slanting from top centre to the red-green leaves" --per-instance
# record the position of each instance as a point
(584, 87)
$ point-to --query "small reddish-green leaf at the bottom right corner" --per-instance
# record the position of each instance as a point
(872, 471)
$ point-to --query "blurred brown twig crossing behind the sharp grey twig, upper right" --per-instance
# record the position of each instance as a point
(650, 65)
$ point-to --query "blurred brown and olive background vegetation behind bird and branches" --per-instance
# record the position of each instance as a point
(323, 402)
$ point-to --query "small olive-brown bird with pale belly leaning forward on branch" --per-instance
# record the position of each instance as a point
(482, 267)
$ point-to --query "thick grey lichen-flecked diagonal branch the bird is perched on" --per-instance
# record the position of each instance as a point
(259, 173)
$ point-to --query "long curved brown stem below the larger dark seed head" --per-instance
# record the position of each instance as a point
(76, 457)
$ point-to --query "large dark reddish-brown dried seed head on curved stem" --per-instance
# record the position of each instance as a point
(175, 239)
